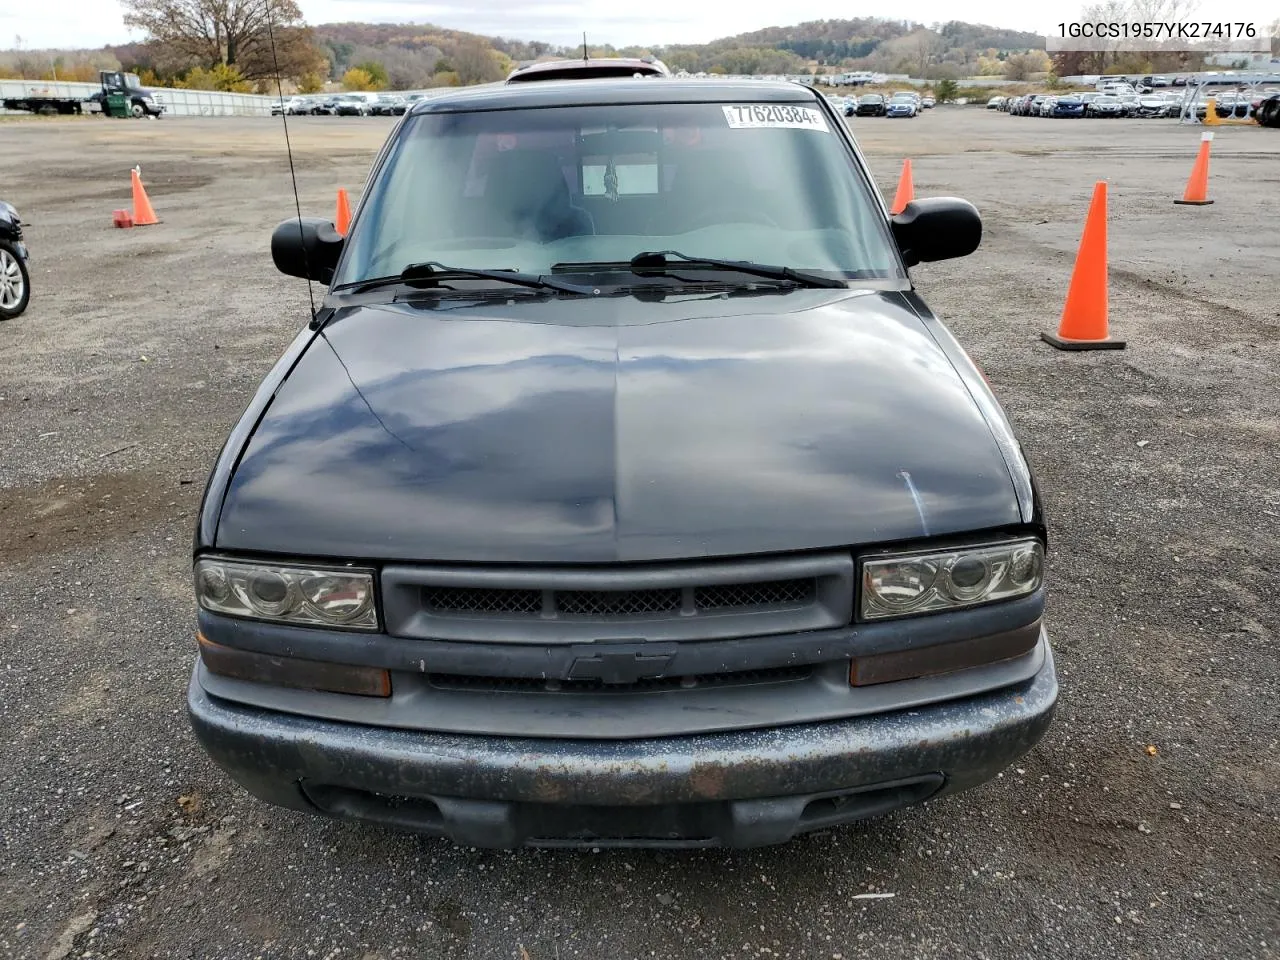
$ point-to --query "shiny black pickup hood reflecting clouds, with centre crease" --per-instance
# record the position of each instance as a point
(618, 431)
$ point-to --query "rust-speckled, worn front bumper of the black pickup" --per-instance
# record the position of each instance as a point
(739, 789)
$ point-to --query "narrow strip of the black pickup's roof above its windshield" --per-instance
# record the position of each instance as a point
(630, 90)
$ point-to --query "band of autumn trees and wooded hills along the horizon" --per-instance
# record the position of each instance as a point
(240, 45)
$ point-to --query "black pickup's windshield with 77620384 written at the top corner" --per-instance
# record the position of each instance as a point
(525, 190)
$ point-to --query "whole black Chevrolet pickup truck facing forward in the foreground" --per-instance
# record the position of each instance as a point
(623, 491)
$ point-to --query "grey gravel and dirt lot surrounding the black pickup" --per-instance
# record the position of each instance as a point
(1148, 825)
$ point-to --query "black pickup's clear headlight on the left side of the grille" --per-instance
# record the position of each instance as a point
(307, 596)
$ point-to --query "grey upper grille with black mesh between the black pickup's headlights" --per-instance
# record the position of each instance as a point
(702, 600)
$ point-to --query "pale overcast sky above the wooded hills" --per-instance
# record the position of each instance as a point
(92, 24)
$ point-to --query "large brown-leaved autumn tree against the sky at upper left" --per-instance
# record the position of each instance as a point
(235, 34)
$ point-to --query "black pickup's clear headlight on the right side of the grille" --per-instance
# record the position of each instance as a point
(927, 583)
